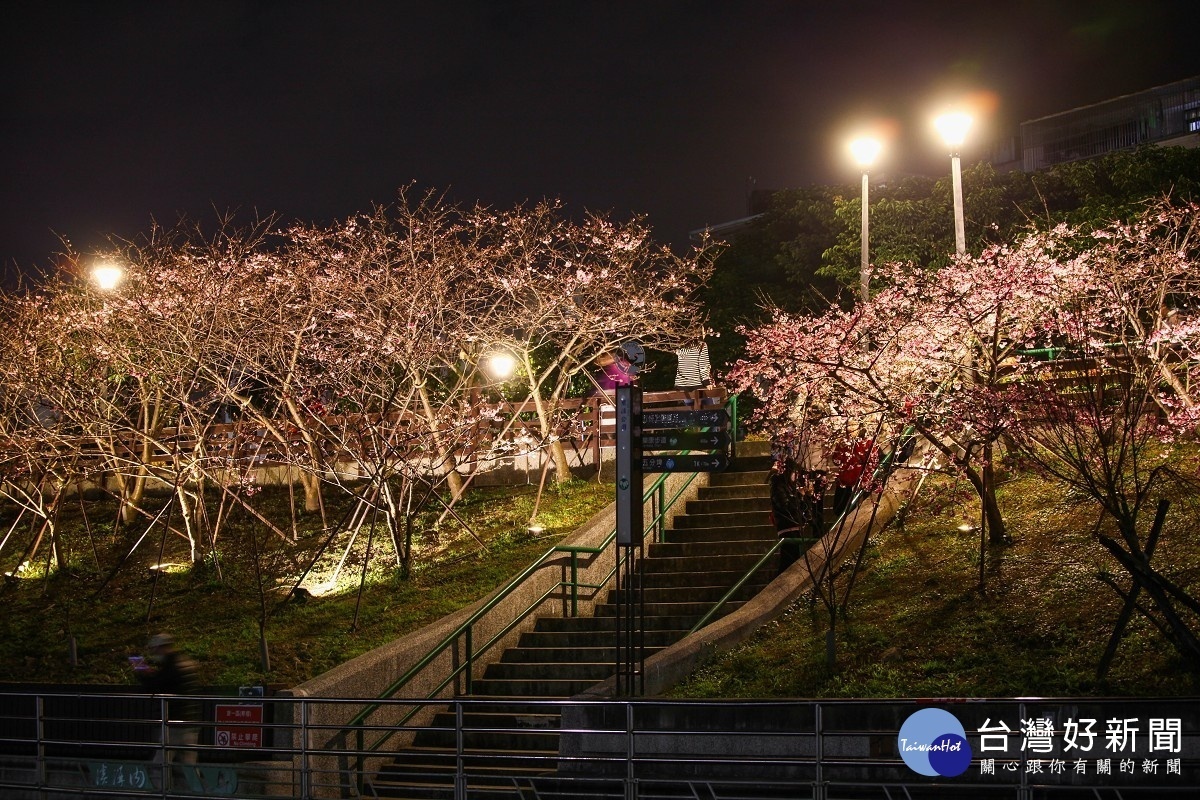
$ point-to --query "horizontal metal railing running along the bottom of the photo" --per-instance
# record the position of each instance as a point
(625, 750)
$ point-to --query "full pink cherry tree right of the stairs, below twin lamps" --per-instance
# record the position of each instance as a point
(928, 353)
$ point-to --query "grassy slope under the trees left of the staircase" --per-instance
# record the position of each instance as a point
(217, 619)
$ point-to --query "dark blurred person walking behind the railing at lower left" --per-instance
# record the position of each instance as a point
(173, 672)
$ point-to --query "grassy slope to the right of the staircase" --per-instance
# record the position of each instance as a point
(919, 627)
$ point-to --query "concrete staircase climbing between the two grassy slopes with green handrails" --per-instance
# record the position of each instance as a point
(707, 551)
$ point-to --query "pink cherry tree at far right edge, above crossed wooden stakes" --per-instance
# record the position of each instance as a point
(1112, 419)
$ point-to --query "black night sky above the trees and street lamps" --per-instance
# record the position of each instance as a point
(118, 113)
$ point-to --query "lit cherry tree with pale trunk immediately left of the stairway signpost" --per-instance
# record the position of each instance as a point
(565, 294)
